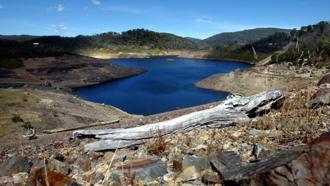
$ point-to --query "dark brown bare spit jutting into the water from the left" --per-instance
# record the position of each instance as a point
(67, 71)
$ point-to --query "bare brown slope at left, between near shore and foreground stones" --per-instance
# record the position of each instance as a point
(44, 109)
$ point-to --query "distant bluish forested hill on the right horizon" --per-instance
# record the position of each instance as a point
(242, 37)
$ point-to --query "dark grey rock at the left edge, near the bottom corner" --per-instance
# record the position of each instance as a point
(15, 165)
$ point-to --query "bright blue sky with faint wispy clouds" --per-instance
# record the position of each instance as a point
(193, 18)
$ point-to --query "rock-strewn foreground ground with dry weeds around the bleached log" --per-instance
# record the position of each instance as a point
(283, 147)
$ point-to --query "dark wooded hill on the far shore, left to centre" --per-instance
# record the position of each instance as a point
(137, 39)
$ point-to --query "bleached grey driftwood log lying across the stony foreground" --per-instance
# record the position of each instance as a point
(233, 110)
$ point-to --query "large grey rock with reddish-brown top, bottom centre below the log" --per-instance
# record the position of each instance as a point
(146, 170)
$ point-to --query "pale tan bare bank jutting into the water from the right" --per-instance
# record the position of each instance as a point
(261, 78)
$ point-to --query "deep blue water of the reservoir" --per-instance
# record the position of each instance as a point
(168, 84)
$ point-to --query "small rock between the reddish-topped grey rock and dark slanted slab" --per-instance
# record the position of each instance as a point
(199, 162)
